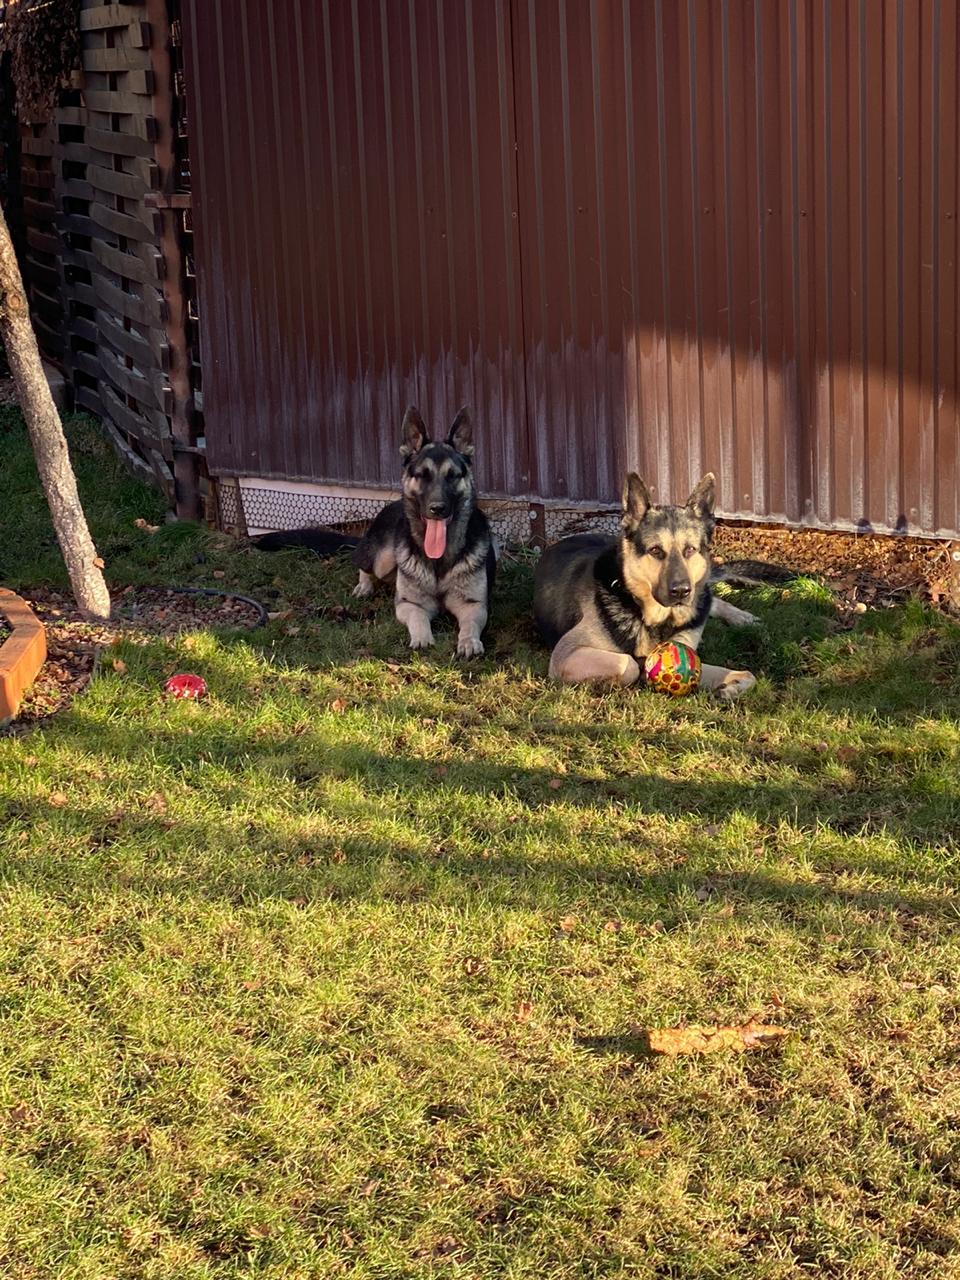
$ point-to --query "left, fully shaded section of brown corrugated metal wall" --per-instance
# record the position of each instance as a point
(358, 248)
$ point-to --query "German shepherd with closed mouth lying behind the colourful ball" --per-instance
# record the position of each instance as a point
(604, 604)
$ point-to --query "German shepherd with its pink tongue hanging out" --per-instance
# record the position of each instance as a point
(435, 537)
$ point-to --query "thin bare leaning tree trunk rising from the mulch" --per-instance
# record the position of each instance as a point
(48, 440)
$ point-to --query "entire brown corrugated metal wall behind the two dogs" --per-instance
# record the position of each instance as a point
(676, 235)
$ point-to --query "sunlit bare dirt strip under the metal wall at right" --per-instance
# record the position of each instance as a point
(862, 569)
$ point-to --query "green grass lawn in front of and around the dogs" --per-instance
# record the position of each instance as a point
(340, 973)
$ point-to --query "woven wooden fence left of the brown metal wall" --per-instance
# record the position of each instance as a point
(95, 198)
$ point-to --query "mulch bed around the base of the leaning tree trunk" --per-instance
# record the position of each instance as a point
(139, 612)
